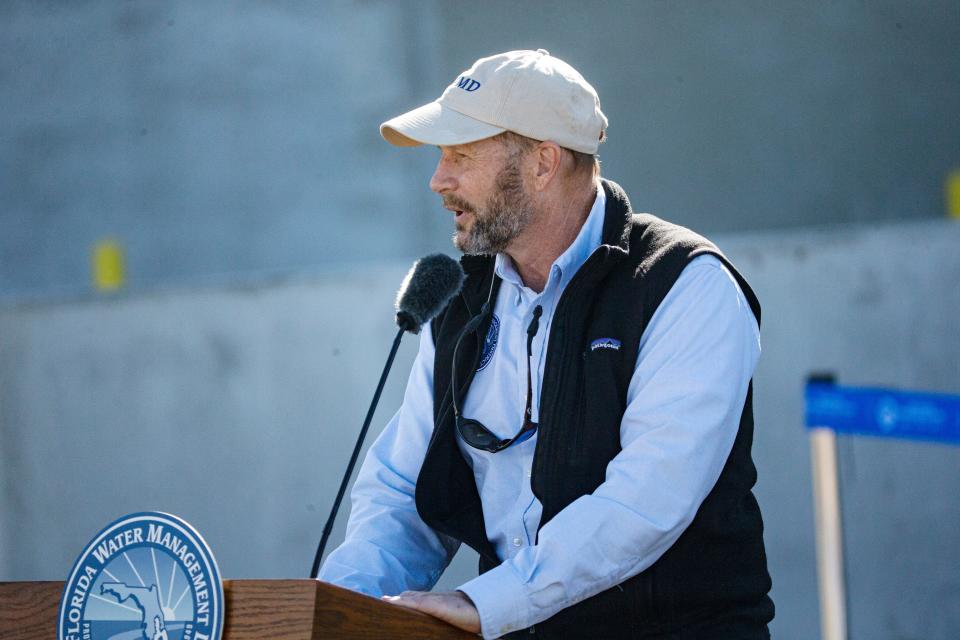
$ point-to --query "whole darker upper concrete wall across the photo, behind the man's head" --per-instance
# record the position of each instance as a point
(239, 137)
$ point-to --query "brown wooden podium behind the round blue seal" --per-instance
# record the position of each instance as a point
(254, 610)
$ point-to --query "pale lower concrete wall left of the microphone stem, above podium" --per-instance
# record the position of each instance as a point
(234, 408)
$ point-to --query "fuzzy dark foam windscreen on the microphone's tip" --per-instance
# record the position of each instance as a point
(429, 286)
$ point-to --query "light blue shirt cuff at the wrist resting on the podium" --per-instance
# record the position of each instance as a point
(501, 600)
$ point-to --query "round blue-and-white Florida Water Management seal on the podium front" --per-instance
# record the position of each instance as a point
(146, 576)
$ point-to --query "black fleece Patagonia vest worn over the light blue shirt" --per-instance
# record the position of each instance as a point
(713, 581)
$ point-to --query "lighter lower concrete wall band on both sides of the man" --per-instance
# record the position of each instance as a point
(236, 409)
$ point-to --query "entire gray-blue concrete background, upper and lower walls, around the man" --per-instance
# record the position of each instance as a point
(232, 150)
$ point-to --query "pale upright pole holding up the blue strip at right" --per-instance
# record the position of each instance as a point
(829, 526)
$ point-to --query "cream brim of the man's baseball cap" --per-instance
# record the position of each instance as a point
(435, 124)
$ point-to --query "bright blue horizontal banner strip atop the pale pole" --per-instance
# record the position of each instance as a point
(883, 412)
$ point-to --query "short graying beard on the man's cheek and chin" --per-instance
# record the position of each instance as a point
(503, 218)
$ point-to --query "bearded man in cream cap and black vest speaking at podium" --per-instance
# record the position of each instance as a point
(580, 414)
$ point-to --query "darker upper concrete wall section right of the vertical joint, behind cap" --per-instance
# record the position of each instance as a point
(751, 114)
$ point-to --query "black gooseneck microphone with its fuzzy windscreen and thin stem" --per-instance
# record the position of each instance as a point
(428, 287)
